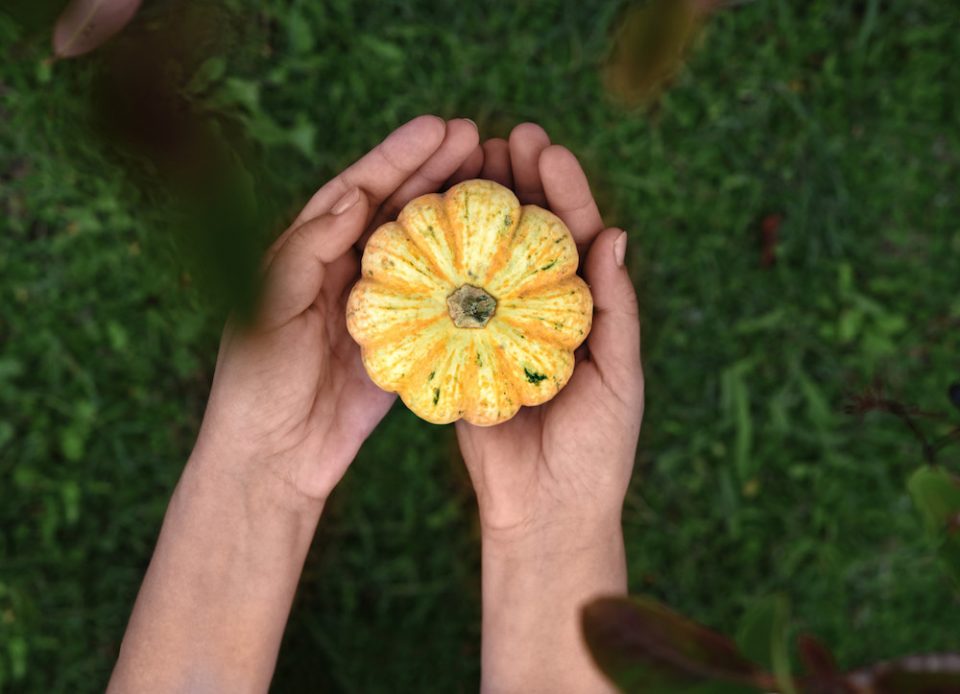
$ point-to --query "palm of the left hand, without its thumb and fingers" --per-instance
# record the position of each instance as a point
(301, 390)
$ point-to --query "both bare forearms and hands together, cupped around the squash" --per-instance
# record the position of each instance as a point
(290, 406)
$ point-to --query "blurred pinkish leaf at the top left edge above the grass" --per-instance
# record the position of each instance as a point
(86, 24)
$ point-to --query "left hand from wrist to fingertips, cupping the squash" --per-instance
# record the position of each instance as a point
(290, 397)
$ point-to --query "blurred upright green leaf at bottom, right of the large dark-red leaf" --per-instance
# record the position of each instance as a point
(762, 637)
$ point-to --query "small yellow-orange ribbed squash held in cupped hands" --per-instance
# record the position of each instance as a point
(469, 305)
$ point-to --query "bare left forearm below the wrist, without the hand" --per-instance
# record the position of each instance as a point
(213, 605)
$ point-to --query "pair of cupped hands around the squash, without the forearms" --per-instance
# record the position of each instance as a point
(291, 403)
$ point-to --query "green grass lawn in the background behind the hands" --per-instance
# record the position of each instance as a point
(751, 479)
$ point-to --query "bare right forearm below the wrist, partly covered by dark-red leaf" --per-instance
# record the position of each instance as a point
(533, 591)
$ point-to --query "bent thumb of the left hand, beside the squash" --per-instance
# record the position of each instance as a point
(297, 269)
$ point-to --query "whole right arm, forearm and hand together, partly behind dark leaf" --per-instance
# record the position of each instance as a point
(550, 482)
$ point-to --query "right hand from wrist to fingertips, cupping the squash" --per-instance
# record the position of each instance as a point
(567, 463)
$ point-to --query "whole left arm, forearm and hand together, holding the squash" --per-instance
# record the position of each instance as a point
(289, 407)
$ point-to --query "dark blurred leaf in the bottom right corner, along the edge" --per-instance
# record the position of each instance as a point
(918, 674)
